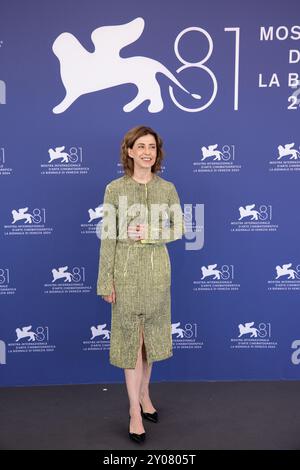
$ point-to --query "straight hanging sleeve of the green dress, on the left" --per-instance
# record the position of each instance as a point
(107, 244)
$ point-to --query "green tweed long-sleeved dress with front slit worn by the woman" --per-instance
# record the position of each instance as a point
(140, 270)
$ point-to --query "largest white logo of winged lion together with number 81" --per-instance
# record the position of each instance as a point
(104, 67)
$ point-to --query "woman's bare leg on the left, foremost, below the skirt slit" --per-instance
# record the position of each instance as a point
(133, 379)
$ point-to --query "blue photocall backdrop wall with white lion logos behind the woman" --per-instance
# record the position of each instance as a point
(218, 80)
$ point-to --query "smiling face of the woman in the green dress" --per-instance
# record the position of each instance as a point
(144, 151)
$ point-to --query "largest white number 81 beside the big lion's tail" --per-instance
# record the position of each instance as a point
(201, 65)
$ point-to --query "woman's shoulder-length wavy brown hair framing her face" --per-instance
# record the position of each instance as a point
(128, 142)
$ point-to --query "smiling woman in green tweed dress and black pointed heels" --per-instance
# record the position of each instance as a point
(142, 213)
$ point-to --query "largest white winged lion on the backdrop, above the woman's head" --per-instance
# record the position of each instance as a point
(85, 72)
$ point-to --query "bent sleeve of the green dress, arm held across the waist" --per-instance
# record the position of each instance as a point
(176, 228)
